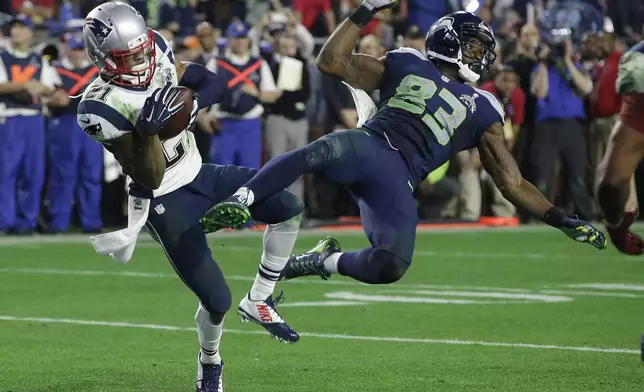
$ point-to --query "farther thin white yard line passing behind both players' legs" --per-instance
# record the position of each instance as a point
(135, 274)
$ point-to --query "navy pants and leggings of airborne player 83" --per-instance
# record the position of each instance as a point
(378, 178)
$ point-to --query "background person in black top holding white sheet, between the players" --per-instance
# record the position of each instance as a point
(286, 126)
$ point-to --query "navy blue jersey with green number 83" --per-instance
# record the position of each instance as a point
(426, 116)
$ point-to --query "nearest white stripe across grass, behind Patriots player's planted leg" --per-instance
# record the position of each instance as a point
(331, 336)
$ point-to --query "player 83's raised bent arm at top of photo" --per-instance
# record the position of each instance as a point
(337, 57)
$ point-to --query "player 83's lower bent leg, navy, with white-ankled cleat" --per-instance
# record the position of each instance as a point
(389, 217)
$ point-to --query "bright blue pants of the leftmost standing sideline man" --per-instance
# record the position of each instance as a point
(22, 171)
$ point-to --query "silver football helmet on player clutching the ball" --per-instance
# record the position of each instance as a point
(120, 44)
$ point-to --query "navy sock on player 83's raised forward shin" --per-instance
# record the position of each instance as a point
(282, 171)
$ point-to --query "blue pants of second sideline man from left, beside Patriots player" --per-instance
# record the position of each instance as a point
(75, 173)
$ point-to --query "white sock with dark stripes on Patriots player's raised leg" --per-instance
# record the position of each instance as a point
(279, 240)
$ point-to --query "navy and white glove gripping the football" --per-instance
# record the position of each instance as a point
(157, 110)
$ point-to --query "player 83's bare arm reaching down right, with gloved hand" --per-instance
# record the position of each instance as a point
(500, 164)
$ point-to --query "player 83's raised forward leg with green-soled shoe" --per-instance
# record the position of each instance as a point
(338, 155)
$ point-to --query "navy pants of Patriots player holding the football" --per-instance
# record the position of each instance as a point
(174, 222)
